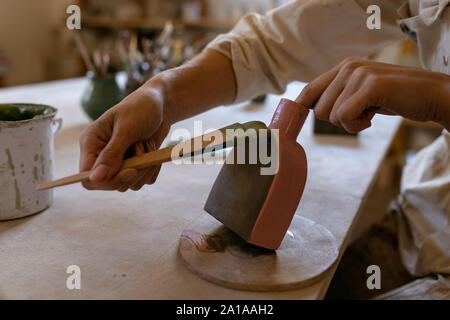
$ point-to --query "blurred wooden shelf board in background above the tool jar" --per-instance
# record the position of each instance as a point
(151, 23)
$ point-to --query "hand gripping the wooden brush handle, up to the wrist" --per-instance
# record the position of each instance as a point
(139, 122)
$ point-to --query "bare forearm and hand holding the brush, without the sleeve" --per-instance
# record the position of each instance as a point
(143, 119)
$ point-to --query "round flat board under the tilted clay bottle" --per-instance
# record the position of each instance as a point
(216, 254)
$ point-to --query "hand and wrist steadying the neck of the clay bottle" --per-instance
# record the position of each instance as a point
(351, 94)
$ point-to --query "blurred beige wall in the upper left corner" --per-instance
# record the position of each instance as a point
(26, 36)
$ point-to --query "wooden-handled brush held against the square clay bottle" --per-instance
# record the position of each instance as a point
(212, 141)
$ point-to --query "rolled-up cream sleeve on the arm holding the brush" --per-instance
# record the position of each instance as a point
(302, 39)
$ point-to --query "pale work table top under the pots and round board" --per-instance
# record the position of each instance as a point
(126, 243)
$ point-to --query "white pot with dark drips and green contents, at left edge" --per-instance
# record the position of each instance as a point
(26, 158)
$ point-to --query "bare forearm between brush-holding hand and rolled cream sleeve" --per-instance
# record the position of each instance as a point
(204, 82)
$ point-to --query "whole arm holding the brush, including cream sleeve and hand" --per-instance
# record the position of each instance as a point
(261, 54)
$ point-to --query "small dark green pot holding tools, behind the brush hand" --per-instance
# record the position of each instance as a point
(100, 94)
